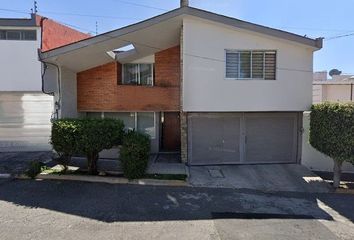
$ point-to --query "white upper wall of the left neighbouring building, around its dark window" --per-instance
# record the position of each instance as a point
(20, 68)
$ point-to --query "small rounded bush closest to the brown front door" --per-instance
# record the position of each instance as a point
(134, 154)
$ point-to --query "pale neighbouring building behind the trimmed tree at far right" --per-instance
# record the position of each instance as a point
(338, 89)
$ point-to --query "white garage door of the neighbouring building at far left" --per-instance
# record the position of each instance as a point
(25, 121)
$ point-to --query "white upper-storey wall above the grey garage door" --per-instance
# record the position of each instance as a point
(206, 89)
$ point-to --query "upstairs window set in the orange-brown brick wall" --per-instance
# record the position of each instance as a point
(138, 74)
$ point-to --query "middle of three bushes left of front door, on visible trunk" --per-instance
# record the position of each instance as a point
(97, 135)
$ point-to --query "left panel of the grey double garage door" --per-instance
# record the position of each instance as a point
(214, 138)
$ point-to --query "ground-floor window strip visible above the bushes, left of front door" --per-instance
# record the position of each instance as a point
(143, 122)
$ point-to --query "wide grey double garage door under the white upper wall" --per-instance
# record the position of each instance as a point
(242, 138)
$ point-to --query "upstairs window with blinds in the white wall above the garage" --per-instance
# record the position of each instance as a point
(250, 64)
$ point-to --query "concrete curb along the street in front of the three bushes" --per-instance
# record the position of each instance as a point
(110, 180)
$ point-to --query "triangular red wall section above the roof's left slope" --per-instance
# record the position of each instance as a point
(56, 35)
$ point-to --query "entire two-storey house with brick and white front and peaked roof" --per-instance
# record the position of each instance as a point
(217, 89)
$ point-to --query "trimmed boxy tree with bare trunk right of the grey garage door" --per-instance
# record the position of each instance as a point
(332, 133)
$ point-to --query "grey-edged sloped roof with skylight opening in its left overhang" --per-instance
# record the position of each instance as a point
(151, 36)
